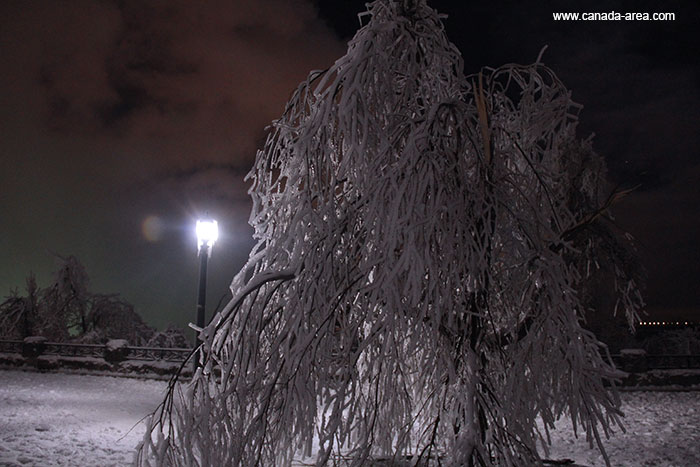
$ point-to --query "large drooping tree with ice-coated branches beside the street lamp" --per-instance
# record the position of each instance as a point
(423, 237)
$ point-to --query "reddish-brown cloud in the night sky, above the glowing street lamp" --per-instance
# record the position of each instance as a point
(184, 83)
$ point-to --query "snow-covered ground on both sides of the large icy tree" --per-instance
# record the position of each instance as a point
(55, 419)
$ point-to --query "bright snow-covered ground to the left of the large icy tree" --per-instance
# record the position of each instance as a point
(56, 419)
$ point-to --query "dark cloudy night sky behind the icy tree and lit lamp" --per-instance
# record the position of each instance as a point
(122, 121)
